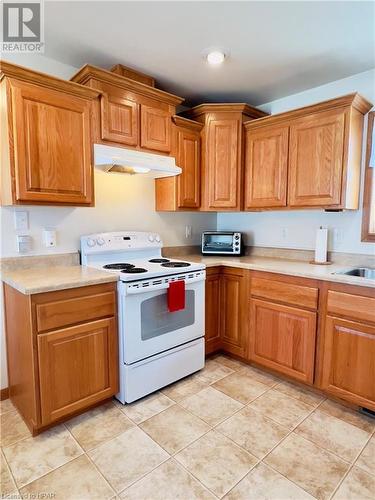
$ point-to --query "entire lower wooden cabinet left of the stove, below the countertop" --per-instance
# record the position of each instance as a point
(62, 353)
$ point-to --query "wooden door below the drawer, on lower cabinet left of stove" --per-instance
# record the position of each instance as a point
(78, 366)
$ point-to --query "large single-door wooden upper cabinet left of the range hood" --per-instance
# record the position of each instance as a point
(46, 139)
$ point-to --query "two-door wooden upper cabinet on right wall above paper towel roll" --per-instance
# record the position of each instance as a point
(306, 158)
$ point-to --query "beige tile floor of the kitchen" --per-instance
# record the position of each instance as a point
(228, 431)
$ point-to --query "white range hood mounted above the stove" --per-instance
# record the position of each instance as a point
(129, 161)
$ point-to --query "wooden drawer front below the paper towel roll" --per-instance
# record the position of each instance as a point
(289, 293)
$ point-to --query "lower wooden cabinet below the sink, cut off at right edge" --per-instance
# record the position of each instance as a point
(348, 345)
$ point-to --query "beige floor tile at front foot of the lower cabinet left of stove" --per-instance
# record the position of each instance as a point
(32, 458)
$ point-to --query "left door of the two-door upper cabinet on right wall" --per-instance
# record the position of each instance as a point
(266, 167)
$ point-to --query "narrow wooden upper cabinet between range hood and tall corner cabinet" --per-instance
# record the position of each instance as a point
(182, 192)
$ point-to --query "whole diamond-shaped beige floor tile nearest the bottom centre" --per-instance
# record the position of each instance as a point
(217, 462)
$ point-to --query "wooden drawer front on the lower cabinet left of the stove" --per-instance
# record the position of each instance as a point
(69, 311)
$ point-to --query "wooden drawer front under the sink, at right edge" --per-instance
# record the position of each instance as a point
(352, 306)
